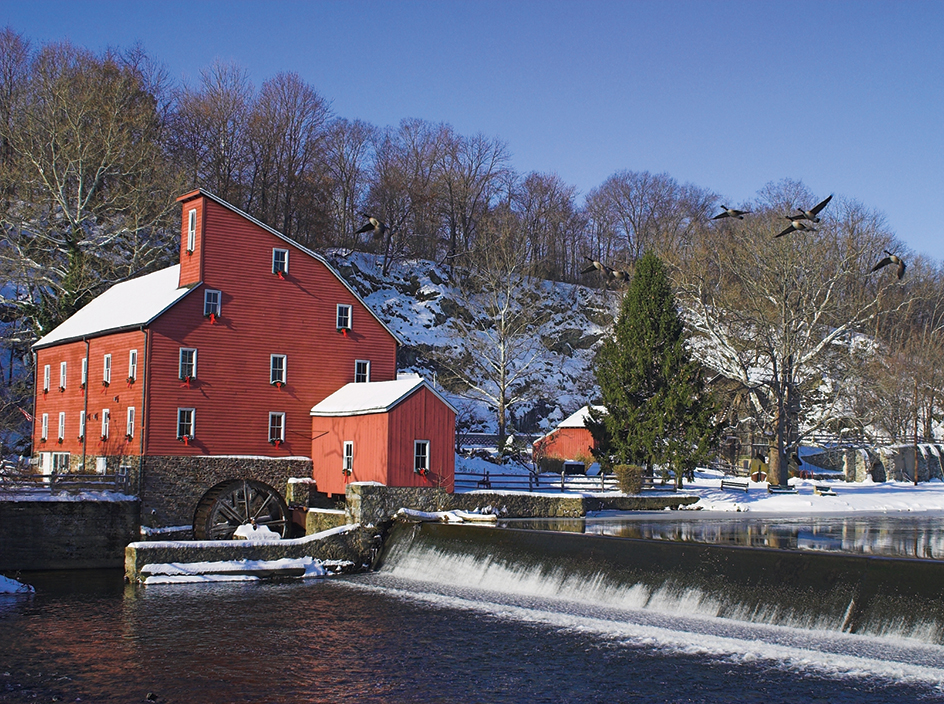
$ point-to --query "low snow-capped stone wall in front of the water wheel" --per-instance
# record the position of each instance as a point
(350, 543)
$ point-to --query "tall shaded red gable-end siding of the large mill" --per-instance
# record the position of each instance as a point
(261, 315)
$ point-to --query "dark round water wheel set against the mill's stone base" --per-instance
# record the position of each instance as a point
(231, 504)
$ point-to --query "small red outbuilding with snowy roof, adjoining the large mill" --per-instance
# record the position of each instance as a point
(397, 433)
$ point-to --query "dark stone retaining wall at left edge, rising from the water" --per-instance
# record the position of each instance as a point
(54, 535)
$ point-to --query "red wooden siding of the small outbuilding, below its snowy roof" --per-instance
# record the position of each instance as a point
(383, 445)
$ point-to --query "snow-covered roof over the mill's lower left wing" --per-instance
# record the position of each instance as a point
(124, 306)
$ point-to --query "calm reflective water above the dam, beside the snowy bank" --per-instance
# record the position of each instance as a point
(889, 536)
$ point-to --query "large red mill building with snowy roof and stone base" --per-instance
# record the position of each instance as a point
(208, 370)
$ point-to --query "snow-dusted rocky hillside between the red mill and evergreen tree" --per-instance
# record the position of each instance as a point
(418, 302)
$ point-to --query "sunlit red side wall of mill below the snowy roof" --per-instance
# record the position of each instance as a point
(117, 396)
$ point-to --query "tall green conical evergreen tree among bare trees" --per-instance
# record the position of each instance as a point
(658, 411)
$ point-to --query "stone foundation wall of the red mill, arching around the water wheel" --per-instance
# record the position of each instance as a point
(172, 486)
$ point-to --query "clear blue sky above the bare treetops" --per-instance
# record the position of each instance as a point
(846, 96)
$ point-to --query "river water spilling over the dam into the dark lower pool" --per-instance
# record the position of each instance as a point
(473, 614)
